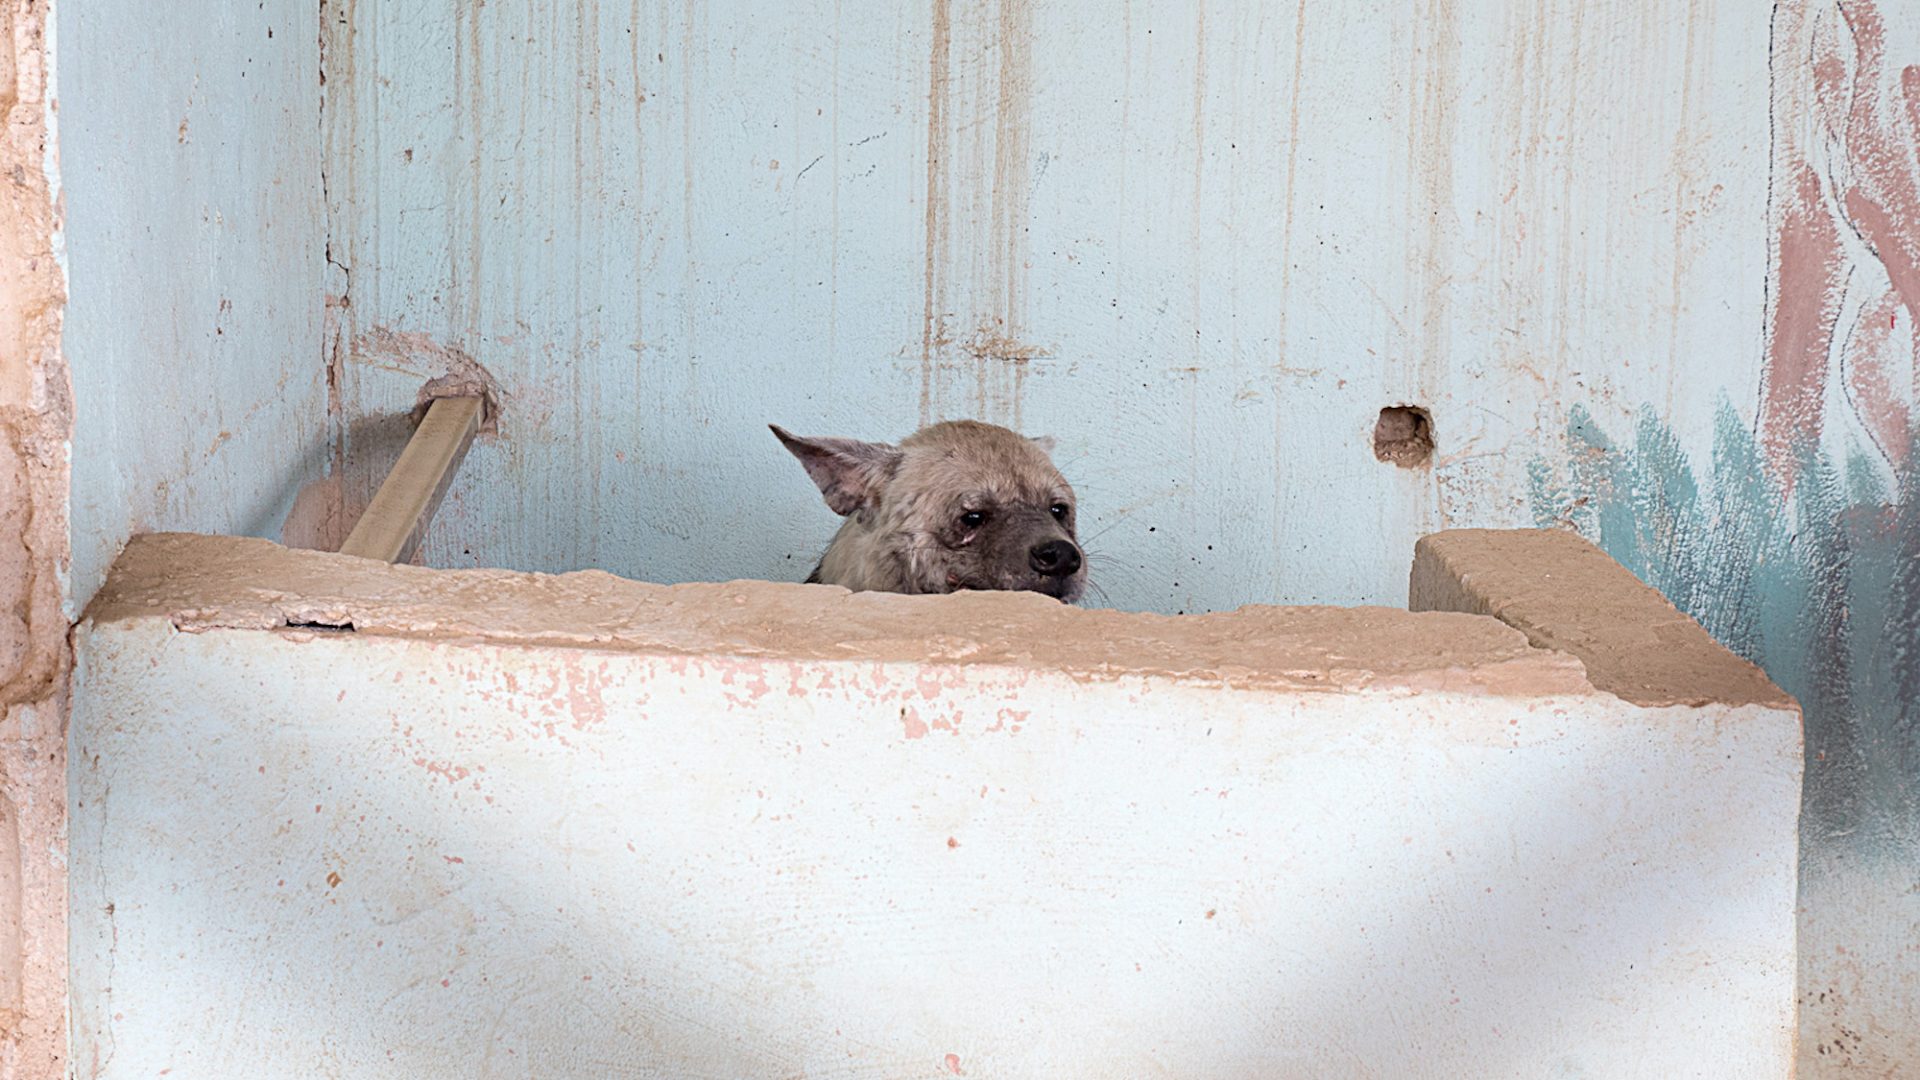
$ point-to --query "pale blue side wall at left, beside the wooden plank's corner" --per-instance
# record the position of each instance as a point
(195, 241)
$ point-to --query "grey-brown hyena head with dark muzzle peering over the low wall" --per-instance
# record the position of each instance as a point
(959, 504)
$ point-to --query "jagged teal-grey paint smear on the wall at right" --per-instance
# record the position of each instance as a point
(1821, 589)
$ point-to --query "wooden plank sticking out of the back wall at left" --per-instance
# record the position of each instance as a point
(398, 514)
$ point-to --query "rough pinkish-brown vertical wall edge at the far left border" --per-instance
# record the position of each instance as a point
(36, 422)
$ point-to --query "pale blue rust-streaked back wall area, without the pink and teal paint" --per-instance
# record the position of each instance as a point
(1222, 235)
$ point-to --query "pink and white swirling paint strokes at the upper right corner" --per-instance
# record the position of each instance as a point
(1856, 172)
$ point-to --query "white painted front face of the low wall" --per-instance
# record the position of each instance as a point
(387, 858)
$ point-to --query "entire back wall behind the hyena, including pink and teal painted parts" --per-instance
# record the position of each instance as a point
(1654, 270)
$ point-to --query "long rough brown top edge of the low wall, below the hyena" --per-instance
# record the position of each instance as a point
(220, 583)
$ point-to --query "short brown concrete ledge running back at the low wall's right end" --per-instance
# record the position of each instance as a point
(1568, 595)
